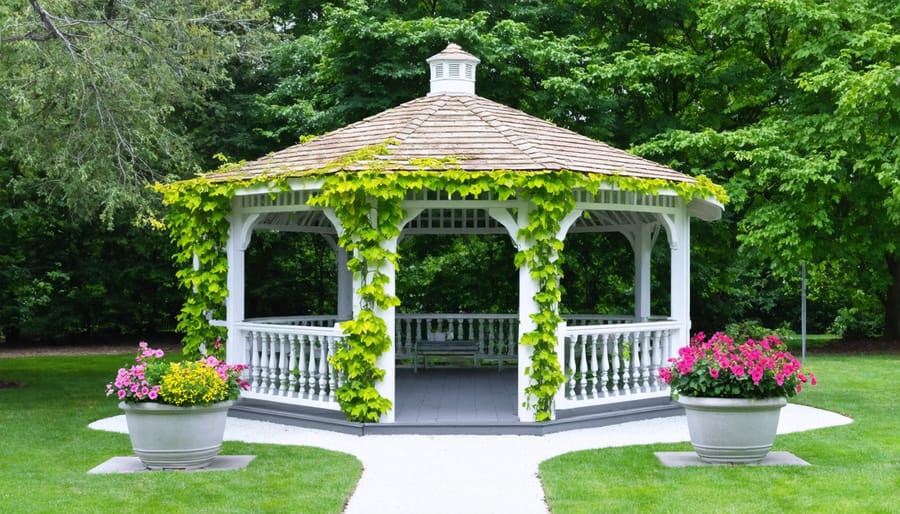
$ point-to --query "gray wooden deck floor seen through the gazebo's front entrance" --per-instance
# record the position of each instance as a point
(436, 395)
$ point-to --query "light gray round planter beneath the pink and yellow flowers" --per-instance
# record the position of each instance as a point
(170, 437)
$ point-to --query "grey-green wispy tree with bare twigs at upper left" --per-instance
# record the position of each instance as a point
(89, 91)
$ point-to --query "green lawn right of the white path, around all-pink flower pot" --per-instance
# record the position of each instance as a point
(855, 468)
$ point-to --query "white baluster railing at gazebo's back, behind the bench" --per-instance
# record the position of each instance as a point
(496, 334)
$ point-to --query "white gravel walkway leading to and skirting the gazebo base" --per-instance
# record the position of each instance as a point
(470, 474)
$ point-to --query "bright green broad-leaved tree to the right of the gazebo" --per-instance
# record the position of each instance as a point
(810, 160)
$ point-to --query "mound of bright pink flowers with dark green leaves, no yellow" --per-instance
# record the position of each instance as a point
(719, 368)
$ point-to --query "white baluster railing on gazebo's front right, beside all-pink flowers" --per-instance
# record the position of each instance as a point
(616, 362)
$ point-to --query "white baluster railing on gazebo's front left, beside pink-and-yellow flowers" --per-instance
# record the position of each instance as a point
(290, 364)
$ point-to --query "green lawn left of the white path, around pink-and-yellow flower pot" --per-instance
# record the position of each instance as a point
(46, 451)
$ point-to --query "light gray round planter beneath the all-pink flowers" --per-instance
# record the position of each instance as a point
(732, 430)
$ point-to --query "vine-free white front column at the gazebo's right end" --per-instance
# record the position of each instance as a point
(680, 246)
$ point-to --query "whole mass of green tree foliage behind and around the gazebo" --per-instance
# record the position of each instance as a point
(793, 106)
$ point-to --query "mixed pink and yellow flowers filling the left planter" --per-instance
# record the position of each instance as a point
(152, 379)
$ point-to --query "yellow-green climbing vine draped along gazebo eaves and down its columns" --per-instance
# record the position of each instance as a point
(368, 205)
